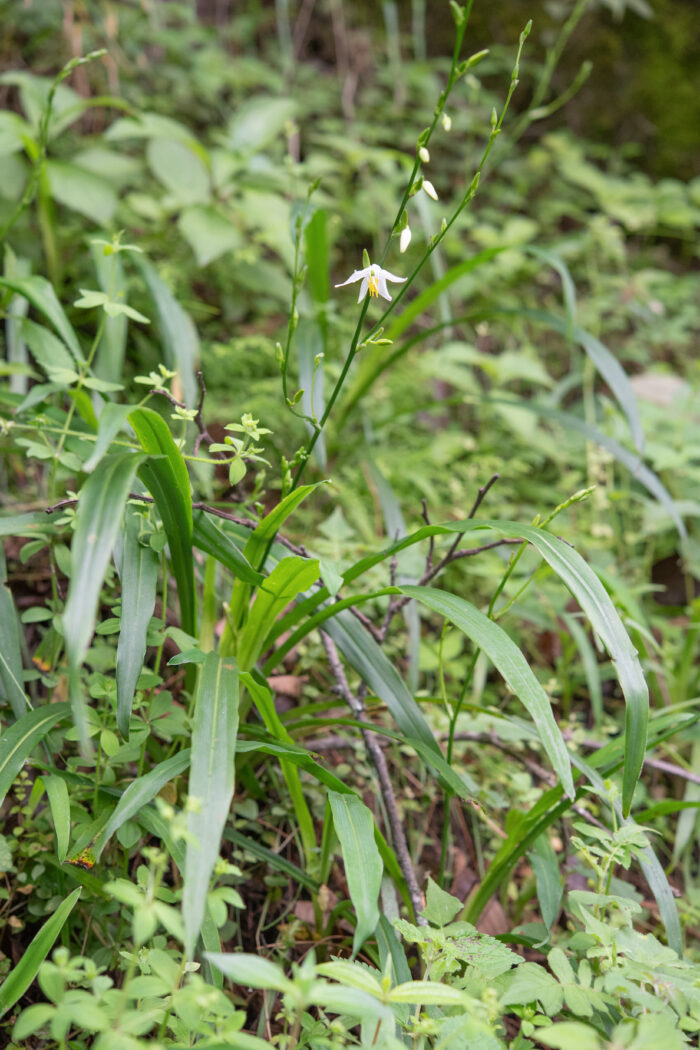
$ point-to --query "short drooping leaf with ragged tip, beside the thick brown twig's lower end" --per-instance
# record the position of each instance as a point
(355, 828)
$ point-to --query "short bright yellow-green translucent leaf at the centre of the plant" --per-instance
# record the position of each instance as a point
(289, 579)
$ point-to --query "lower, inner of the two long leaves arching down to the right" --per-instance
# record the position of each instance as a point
(510, 661)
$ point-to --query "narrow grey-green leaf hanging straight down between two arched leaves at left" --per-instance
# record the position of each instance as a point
(139, 572)
